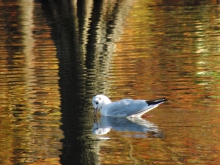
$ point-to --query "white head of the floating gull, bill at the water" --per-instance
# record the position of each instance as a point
(100, 101)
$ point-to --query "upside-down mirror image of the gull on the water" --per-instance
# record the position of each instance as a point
(126, 125)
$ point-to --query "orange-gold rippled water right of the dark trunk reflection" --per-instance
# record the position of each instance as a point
(166, 51)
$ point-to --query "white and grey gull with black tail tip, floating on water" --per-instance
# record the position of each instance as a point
(124, 108)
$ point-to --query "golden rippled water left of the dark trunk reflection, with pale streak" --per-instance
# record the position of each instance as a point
(30, 99)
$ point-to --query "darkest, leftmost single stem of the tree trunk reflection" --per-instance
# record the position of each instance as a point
(72, 89)
